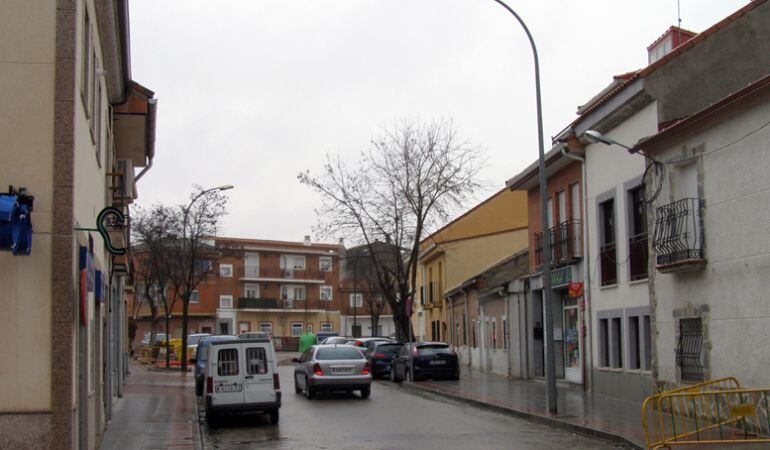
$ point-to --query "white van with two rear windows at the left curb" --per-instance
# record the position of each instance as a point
(242, 376)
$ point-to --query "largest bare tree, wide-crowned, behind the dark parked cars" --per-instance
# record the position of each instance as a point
(412, 178)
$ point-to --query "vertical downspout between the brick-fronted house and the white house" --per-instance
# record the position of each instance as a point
(588, 343)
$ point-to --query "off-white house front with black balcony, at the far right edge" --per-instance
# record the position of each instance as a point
(709, 248)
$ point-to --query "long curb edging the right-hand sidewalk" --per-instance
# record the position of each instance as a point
(582, 429)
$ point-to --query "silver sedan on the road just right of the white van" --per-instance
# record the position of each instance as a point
(332, 368)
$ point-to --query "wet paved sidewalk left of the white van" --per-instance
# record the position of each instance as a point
(157, 411)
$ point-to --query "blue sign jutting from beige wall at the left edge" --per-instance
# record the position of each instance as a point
(15, 223)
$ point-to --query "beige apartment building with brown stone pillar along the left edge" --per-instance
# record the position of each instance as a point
(73, 127)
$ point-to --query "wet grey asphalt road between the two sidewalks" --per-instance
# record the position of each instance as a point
(392, 418)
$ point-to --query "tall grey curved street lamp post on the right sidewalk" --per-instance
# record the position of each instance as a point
(550, 372)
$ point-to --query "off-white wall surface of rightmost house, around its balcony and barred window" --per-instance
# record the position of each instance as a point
(735, 283)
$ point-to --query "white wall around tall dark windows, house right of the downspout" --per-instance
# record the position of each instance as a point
(607, 169)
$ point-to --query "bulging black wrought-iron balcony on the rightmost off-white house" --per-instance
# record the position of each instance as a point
(678, 240)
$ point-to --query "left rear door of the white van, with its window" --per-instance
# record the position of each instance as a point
(228, 374)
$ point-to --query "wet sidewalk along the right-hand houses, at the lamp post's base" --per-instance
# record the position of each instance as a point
(594, 414)
